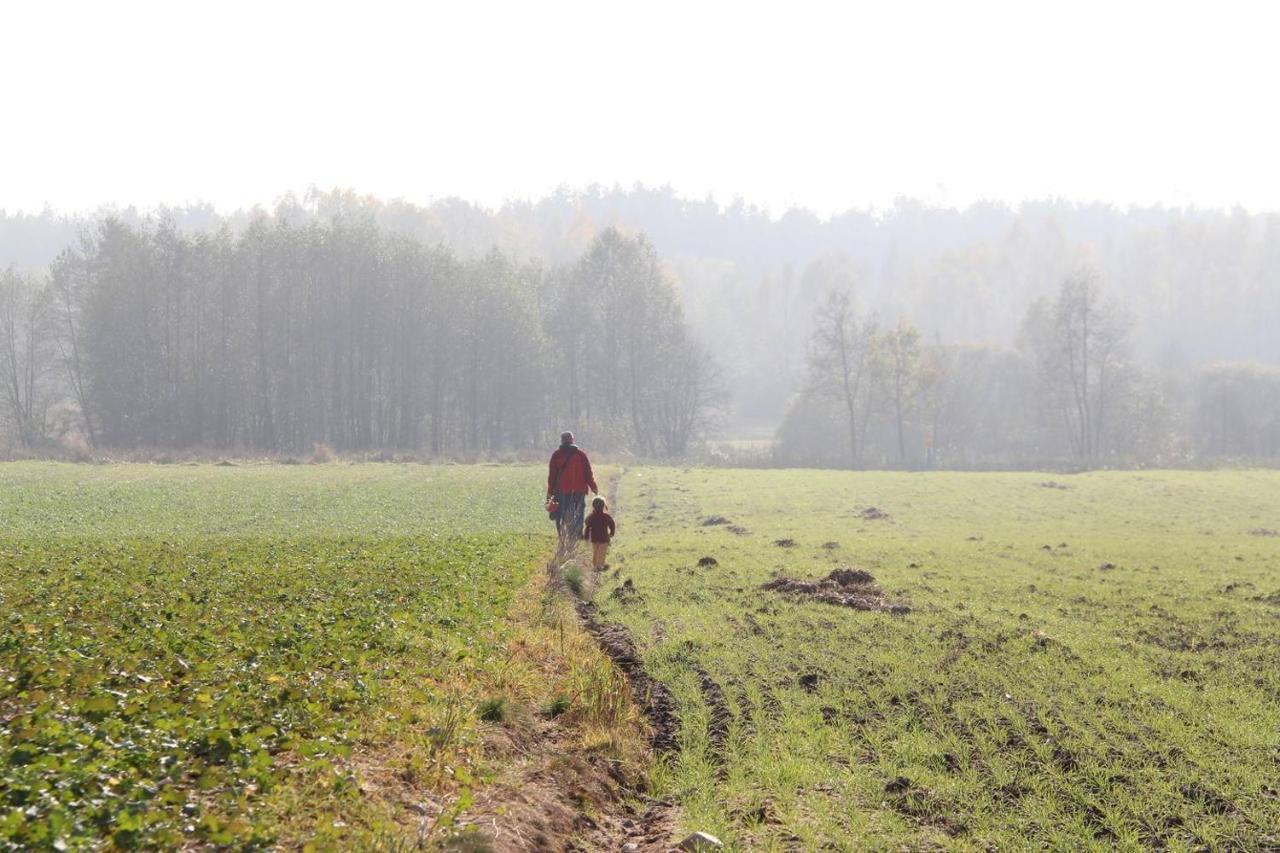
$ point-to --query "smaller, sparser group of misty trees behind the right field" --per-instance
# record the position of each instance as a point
(1069, 393)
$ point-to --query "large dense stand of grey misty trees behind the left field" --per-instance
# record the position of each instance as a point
(276, 337)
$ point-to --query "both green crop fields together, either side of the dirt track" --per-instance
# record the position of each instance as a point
(275, 655)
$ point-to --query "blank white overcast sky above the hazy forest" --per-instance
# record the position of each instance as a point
(821, 106)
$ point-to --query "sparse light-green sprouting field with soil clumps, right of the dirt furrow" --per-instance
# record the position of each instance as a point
(1086, 667)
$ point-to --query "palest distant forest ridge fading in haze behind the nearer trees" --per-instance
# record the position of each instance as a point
(1201, 284)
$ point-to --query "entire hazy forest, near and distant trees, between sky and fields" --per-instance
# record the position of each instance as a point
(1050, 334)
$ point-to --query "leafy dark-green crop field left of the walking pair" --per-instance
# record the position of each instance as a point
(236, 655)
